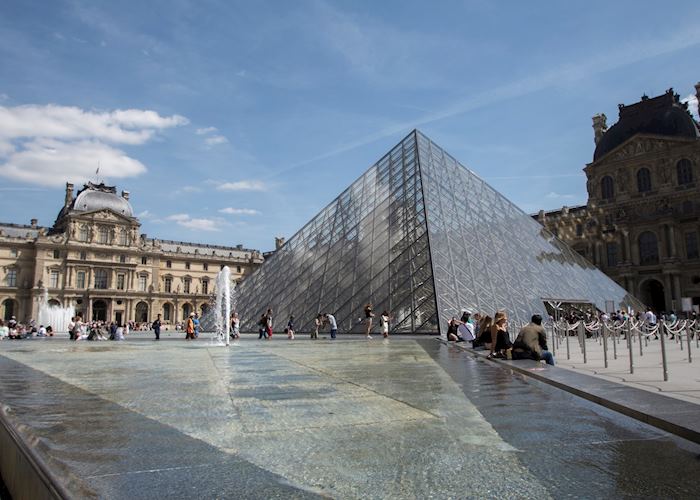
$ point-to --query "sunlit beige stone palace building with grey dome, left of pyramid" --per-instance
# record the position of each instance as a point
(94, 259)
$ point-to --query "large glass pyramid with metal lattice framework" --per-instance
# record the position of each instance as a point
(423, 237)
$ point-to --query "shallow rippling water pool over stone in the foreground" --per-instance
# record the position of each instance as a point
(405, 418)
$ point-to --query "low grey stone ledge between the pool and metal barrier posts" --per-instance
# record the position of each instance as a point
(669, 414)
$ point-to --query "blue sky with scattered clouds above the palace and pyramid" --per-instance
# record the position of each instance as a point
(234, 122)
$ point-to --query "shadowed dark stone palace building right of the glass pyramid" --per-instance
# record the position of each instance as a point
(640, 225)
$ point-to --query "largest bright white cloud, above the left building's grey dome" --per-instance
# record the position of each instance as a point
(51, 144)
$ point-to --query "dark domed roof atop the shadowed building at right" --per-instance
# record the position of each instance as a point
(661, 115)
